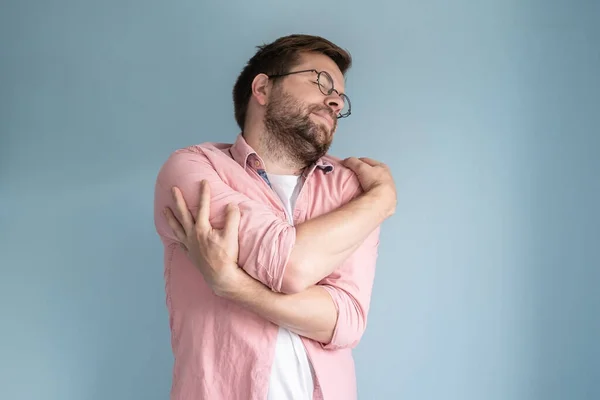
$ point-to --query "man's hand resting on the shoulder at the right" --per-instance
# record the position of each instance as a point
(376, 180)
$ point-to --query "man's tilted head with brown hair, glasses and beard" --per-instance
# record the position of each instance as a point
(294, 89)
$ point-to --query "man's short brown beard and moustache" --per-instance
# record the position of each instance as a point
(292, 135)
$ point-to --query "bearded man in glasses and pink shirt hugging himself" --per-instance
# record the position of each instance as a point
(269, 279)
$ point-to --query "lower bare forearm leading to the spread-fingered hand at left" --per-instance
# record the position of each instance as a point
(310, 313)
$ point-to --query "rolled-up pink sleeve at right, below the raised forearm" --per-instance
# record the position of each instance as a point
(350, 287)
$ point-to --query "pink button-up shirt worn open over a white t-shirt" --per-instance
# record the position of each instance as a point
(223, 351)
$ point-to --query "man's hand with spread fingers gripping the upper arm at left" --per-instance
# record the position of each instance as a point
(213, 251)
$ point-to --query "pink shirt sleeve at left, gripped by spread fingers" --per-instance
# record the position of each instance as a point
(266, 239)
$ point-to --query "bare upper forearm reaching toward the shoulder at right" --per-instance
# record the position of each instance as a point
(323, 243)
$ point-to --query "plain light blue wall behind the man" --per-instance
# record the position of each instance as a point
(488, 113)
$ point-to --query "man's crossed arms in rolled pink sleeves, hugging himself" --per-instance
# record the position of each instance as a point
(327, 281)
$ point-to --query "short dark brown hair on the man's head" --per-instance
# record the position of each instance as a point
(277, 58)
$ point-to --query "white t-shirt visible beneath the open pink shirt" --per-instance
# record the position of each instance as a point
(291, 374)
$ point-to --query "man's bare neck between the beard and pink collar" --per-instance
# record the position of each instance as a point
(277, 160)
